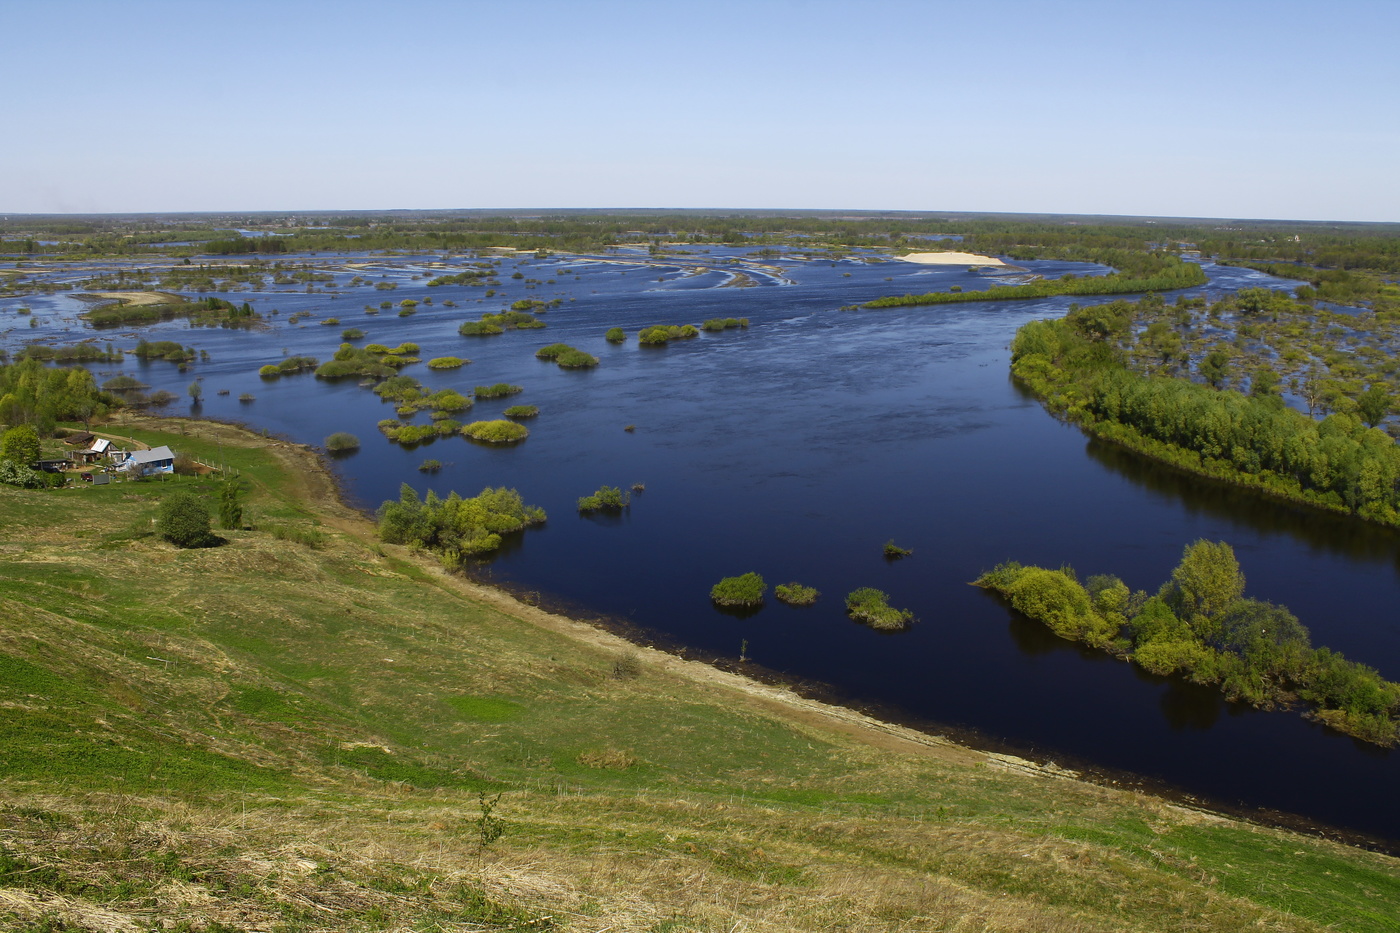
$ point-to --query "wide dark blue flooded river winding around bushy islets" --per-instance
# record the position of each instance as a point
(796, 449)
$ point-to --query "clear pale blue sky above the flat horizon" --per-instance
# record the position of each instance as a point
(1223, 110)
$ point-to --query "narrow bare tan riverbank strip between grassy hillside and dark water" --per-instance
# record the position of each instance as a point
(772, 691)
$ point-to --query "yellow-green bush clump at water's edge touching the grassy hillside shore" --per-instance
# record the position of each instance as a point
(454, 527)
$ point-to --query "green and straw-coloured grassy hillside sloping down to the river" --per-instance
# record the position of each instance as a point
(303, 731)
